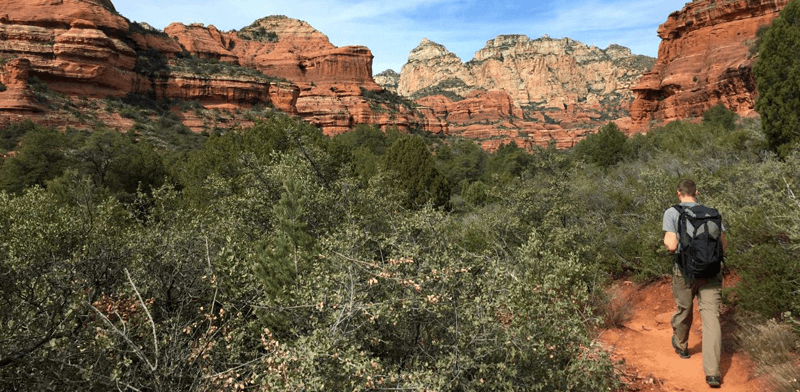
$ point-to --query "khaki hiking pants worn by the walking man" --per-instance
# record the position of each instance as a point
(709, 294)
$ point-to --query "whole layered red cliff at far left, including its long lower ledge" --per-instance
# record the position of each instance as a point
(83, 48)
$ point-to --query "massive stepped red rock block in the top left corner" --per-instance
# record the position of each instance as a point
(78, 46)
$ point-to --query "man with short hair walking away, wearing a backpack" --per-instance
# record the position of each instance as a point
(696, 235)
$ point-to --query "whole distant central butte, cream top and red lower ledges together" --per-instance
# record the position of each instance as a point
(517, 89)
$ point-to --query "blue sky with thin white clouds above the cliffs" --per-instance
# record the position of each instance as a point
(392, 28)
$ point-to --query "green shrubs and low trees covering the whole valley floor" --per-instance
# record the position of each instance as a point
(275, 258)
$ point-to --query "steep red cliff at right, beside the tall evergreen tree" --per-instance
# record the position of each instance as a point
(704, 59)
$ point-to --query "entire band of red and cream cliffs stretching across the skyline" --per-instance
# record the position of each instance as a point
(530, 91)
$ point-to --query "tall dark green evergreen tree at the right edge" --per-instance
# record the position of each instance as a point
(778, 74)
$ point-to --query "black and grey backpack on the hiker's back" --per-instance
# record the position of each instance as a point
(699, 241)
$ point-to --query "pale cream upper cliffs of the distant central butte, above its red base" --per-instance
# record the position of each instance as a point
(543, 73)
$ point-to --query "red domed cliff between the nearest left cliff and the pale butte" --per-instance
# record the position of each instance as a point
(331, 80)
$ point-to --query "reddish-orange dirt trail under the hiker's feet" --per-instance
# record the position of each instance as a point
(652, 364)
